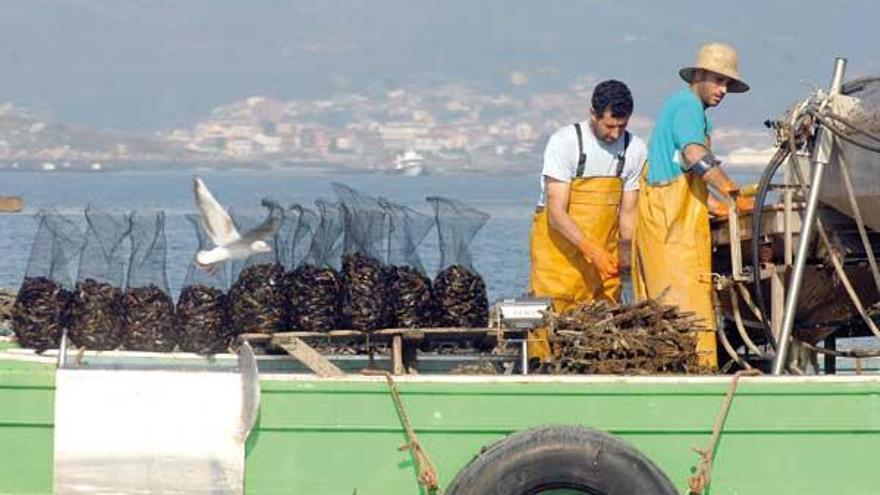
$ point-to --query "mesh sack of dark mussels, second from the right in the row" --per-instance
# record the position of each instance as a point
(408, 300)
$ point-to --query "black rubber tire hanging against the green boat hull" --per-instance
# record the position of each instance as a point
(576, 458)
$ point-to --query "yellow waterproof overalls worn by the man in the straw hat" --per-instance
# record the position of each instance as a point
(672, 252)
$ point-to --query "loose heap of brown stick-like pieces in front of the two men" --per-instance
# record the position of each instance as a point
(643, 338)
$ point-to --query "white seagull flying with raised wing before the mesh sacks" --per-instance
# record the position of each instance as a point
(229, 244)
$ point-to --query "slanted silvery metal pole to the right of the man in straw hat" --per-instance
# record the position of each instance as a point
(821, 155)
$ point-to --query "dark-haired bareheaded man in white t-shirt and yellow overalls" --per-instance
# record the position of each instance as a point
(583, 226)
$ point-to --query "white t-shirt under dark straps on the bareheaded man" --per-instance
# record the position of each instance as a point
(561, 158)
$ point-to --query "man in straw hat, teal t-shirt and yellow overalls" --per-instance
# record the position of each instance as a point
(671, 245)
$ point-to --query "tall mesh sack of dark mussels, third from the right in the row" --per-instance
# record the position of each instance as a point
(363, 278)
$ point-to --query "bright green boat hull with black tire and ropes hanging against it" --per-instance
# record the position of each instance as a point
(314, 436)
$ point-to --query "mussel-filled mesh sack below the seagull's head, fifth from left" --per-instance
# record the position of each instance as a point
(257, 299)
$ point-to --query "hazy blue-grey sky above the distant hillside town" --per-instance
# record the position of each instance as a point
(160, 64)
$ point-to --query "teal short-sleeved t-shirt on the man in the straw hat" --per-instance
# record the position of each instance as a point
(682, 121)
